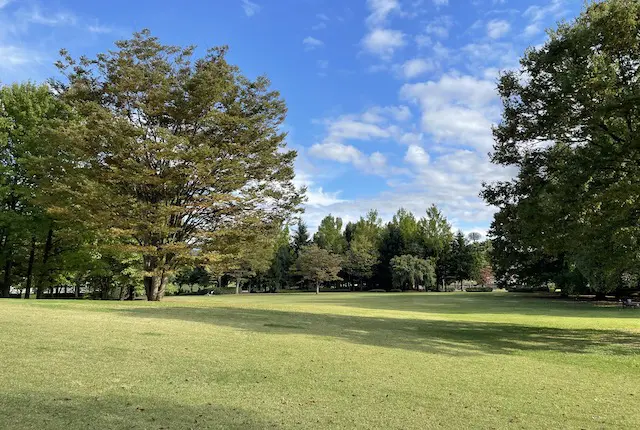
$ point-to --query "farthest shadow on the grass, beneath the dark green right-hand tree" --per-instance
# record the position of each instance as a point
(473, 303)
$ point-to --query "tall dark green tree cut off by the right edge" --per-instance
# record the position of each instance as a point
(570, 126)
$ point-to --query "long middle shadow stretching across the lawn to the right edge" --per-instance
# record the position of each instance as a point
(432, 336)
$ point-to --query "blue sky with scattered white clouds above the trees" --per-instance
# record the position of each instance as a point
(390, 101)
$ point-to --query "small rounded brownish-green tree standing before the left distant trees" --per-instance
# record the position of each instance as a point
(317, 265)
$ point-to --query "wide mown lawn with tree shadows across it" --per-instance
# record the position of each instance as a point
(460, 360)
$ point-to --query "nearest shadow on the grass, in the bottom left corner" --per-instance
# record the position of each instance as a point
(38, 410)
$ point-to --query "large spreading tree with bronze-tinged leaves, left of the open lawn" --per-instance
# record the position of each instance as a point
(176, 149)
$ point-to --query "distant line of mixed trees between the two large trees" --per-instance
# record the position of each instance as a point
(406, 253)
